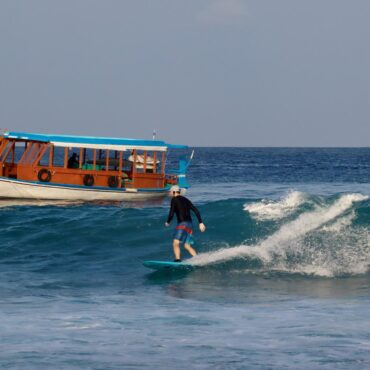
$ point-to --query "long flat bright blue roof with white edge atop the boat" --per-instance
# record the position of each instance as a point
(94, 142)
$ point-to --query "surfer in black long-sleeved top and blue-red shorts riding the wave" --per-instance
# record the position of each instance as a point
(184, 229)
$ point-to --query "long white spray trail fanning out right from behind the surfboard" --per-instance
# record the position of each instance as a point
(299, 246)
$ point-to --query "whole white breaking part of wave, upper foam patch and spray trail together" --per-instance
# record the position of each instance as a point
(324, 240)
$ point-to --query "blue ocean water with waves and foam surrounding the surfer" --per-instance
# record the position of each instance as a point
(283, 279)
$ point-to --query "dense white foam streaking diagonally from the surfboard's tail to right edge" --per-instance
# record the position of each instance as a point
(273, 251)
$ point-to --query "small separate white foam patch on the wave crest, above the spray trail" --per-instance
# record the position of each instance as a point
(274, 210)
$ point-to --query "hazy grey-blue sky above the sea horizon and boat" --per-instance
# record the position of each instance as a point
(199, 72)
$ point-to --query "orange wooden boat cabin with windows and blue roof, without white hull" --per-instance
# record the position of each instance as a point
(85, 161)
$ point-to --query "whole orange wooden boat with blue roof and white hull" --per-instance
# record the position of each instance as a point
(85, 168)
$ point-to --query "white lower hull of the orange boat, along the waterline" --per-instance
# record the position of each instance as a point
(10, 188)
